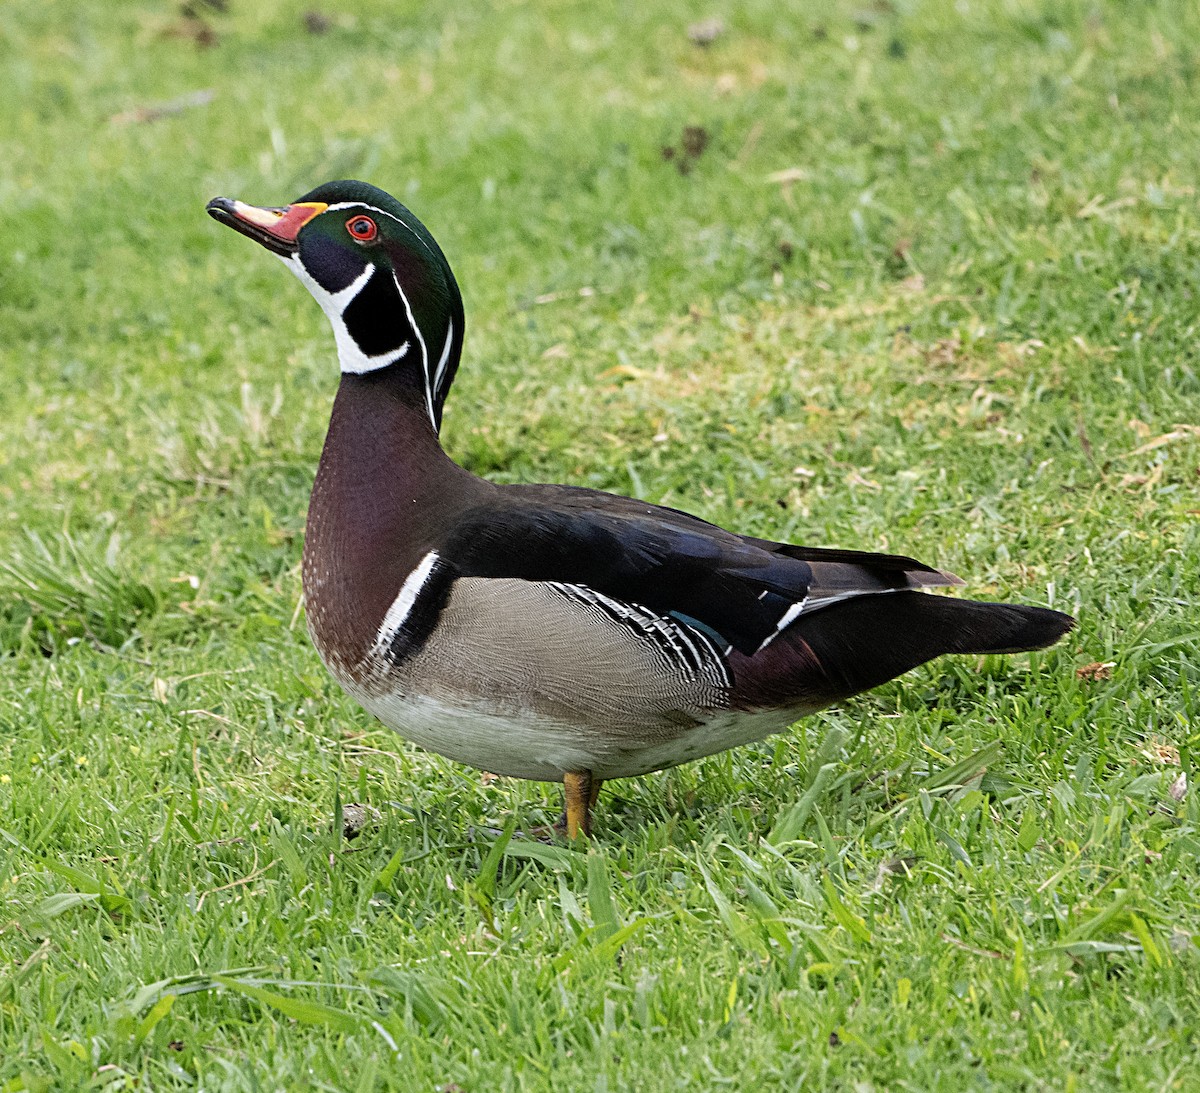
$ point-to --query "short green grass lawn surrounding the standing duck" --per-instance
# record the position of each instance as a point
(967, 329)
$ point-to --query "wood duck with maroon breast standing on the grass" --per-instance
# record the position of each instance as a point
(545, 632)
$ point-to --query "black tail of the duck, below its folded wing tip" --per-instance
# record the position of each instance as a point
(863, 642)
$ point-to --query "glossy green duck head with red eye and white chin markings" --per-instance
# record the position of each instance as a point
(379, 275)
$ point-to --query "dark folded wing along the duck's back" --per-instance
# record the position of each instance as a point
(741, 591)
